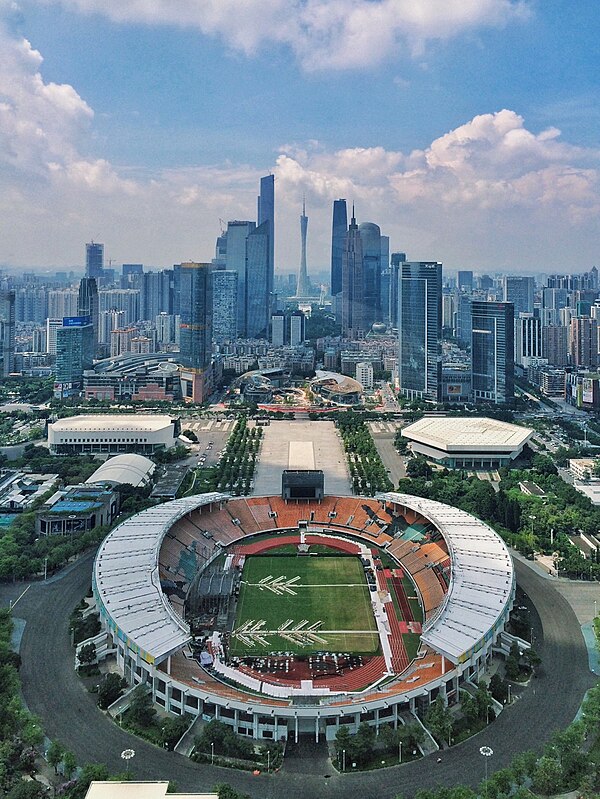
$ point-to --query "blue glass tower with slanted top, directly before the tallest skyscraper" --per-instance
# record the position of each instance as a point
(258, 296)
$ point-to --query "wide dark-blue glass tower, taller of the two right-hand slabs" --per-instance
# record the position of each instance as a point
(420, 330)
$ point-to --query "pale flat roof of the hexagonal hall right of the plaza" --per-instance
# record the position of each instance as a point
(465, 433)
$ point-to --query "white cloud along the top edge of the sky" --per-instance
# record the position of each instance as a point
(323, 34)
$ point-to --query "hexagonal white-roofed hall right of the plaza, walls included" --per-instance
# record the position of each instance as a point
(463, 442)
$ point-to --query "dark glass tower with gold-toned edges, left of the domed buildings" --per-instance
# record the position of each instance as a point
(195, 303)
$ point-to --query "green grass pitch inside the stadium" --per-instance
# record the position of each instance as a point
(303, 604)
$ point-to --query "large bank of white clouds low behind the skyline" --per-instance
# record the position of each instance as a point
(489, 193)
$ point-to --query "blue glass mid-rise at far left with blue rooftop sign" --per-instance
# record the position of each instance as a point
(75, 346)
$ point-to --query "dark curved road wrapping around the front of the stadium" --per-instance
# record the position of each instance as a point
(53, 691)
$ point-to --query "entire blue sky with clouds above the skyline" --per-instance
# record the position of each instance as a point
(468, 131)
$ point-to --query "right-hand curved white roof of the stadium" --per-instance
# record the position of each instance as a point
(481, 583)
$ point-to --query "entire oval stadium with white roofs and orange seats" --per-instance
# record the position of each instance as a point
(294, 614)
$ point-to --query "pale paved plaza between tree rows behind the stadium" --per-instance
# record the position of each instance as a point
(301, 445)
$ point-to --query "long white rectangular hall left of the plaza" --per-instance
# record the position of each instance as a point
(144, 433)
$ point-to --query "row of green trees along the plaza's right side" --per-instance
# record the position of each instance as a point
(366, 469)
